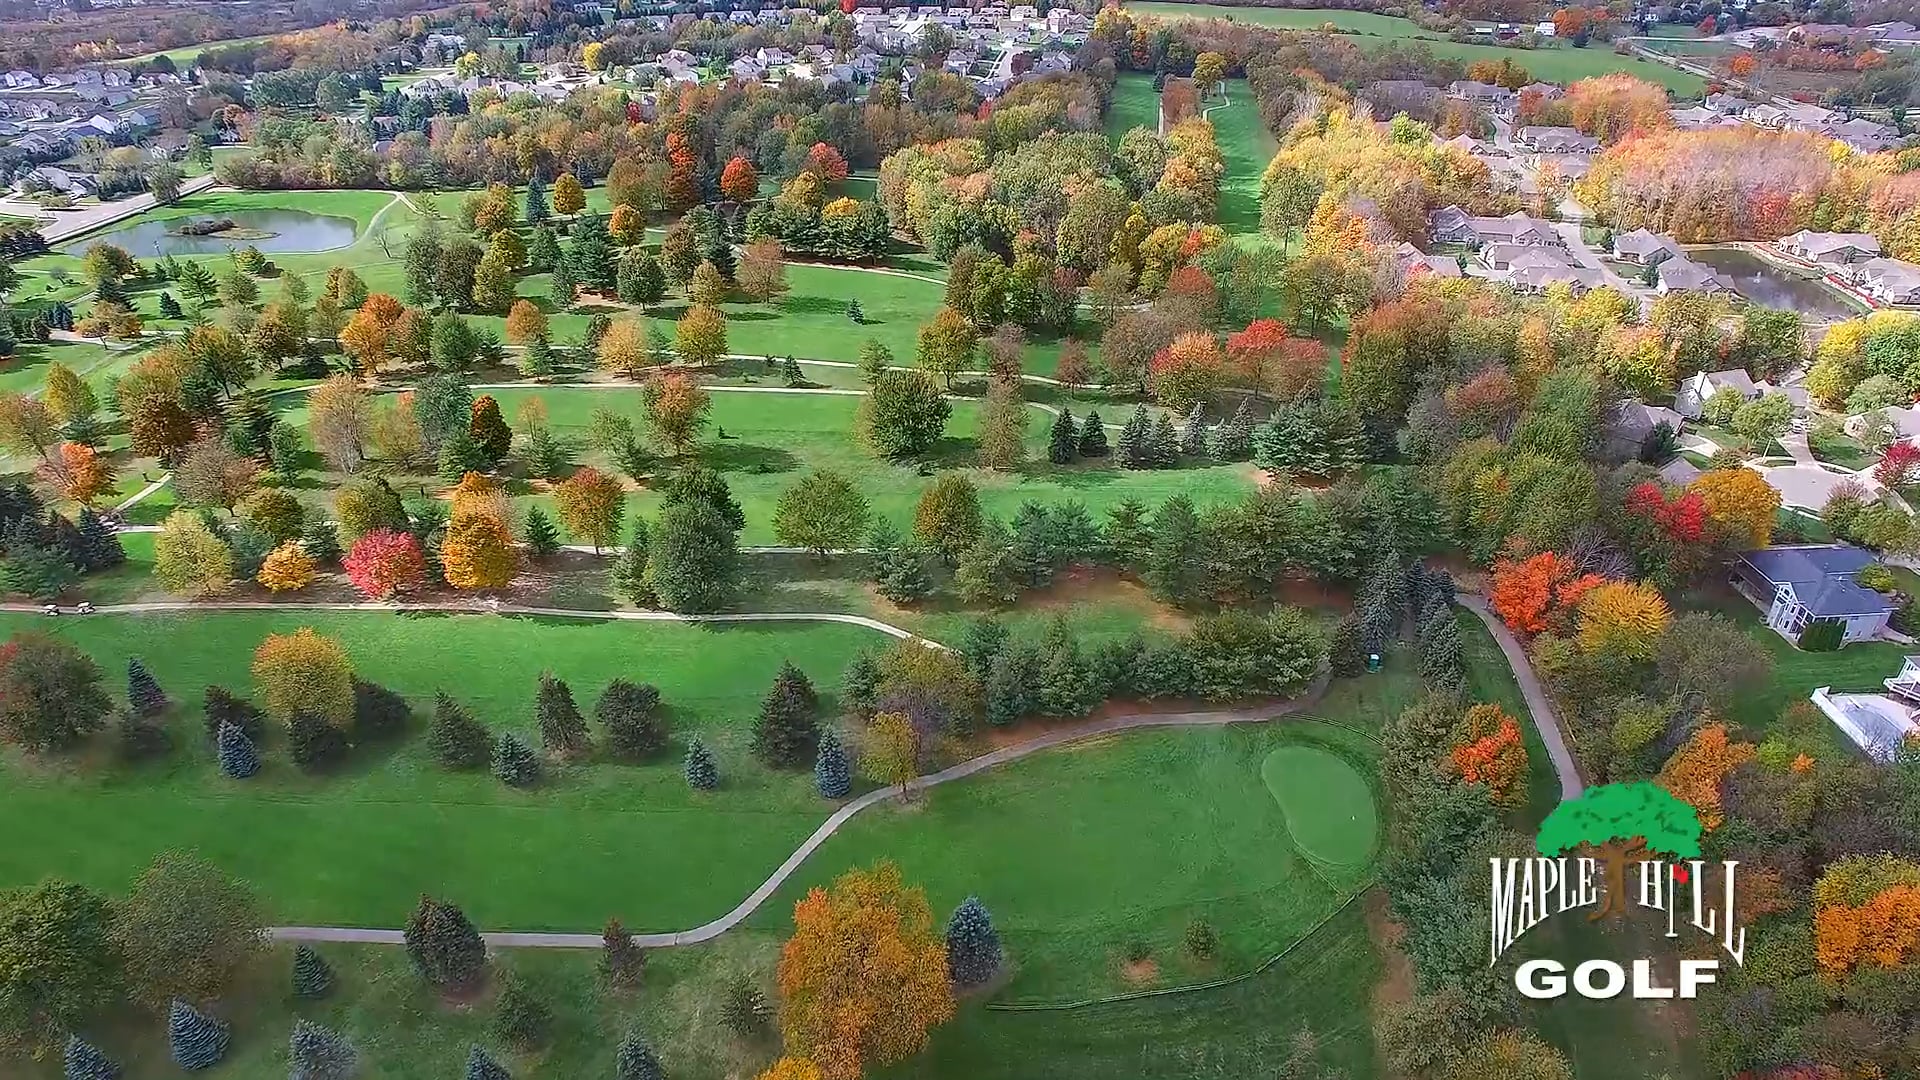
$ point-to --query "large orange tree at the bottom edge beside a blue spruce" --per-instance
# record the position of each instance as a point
(865, 975)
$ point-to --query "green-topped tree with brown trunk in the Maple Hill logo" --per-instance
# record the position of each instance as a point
(1623, 823)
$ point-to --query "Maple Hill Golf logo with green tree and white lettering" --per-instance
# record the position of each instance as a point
(1644, 841)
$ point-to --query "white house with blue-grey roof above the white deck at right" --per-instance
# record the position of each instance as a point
(1817, 581)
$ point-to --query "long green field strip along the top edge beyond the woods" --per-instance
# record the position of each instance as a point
(1554, 62)
